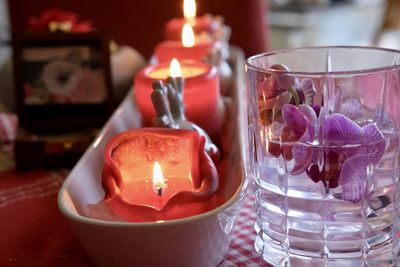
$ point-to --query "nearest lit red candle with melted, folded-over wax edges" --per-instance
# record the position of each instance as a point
(155, 174)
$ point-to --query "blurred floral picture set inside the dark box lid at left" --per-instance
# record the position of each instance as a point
(63, 75)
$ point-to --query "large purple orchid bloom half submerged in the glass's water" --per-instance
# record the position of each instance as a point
(348, 149)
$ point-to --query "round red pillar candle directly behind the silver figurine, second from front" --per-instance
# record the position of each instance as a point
(201, 94)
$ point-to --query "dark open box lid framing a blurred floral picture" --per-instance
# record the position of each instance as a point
(62, 80)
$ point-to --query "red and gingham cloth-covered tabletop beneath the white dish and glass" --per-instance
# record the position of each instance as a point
(34, 233)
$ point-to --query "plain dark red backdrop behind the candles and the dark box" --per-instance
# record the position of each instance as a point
(140, 23)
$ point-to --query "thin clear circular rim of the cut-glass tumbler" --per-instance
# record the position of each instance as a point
(250, 65)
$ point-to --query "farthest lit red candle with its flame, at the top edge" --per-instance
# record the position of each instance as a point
(173, 28)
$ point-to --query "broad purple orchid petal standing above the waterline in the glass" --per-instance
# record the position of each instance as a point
(341, 130)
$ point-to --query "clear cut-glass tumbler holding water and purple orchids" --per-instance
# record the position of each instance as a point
(324, 154)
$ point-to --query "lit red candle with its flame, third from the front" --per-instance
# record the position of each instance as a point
(187, 48)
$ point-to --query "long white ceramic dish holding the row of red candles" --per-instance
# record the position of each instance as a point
(200, 240)
